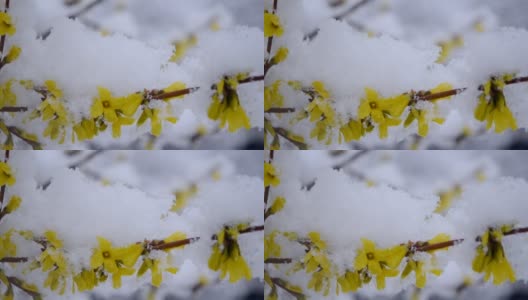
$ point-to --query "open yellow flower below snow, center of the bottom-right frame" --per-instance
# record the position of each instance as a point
(379, 262)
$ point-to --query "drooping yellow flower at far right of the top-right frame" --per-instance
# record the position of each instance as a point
(492, 106)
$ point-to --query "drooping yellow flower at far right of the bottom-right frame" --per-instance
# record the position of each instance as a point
(491, 258)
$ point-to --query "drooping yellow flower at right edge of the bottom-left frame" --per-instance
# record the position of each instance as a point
(226, 256)
